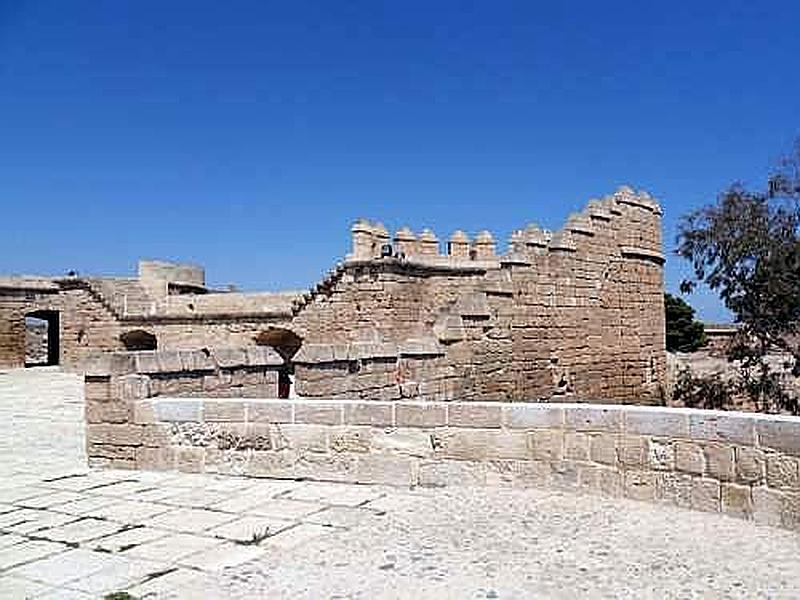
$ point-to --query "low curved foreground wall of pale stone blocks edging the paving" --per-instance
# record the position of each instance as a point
(741, 464)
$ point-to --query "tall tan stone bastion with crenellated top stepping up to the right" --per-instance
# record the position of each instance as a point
(576, 313)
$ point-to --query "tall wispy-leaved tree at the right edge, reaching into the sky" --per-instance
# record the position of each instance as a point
(746, 248)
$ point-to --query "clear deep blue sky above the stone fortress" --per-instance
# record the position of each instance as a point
(246, 136)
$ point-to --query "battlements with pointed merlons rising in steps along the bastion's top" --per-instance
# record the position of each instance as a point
(634, 219)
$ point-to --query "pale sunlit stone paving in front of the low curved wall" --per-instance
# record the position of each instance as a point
(68, 532)
